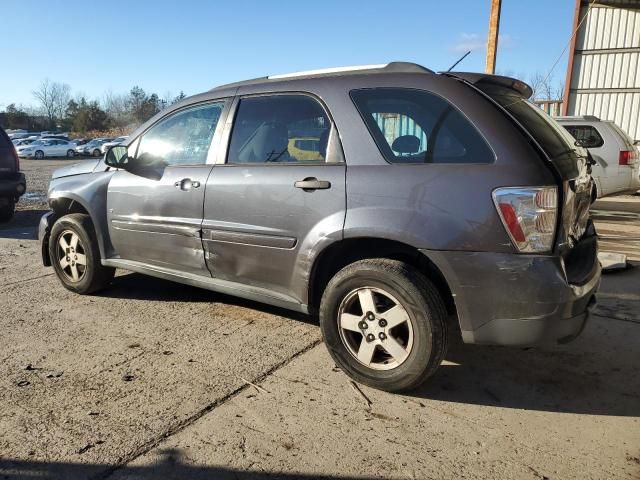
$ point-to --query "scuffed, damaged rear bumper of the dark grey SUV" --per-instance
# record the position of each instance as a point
(518, 300)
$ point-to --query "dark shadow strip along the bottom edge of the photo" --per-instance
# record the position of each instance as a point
(171, 466)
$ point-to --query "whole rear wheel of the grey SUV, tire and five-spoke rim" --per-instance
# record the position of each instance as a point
(384, 324)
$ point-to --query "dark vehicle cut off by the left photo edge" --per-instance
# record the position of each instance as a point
(12, 181)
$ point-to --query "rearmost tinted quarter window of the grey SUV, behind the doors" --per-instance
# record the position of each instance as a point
(415, 126)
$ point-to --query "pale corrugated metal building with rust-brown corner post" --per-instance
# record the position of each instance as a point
(603, 75)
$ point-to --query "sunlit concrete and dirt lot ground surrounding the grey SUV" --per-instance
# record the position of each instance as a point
(152, 379)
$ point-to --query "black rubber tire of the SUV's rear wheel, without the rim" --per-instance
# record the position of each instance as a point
(422, 304)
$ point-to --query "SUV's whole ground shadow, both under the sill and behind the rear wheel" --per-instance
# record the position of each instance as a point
(568, 379)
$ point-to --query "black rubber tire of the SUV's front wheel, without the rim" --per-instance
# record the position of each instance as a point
(94, 276)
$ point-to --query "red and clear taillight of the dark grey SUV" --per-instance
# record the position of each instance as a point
(529, 215)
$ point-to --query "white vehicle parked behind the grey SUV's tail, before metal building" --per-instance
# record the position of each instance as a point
(617, 160)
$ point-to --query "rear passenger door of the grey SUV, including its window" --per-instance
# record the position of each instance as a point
(277, 197)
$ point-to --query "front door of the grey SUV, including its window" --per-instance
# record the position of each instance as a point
(155, 217)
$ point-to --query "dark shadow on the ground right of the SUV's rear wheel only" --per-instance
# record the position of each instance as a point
(550, 380)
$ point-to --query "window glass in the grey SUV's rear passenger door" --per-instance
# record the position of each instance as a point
(279, 128)
